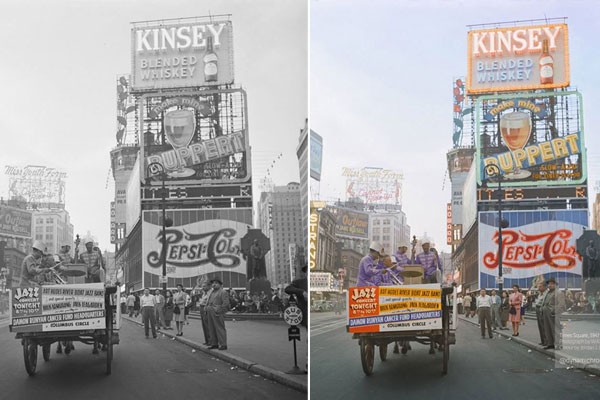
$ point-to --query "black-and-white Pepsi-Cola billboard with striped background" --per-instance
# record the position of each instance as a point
(200, 244)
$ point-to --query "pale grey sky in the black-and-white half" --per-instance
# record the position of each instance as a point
(60, 60)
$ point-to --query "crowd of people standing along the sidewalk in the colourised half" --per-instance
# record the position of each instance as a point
(546, 300)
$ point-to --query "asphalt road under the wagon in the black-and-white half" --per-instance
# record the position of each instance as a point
(141, 369)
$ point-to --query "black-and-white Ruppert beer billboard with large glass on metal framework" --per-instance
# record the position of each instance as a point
(198, 137)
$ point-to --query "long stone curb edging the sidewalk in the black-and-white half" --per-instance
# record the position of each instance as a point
(258, 369)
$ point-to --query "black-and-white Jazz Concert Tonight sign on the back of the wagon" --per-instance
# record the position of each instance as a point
(58, 308)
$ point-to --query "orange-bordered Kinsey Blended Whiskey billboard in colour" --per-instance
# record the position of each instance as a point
(518, 58)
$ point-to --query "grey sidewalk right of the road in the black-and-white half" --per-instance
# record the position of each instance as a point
(259, 346)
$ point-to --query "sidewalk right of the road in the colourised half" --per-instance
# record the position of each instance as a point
(529, 337)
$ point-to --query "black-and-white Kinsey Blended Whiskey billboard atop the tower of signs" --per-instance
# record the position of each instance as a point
(181, 53)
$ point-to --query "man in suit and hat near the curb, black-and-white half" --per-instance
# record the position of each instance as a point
(217, 306)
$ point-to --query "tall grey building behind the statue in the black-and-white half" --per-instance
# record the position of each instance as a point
(280, 218)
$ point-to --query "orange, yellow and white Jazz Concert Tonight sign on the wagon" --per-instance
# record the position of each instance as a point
(394, 308)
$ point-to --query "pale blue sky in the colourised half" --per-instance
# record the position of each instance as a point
(381, 75)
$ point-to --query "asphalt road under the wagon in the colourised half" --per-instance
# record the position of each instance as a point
(479, 368)
